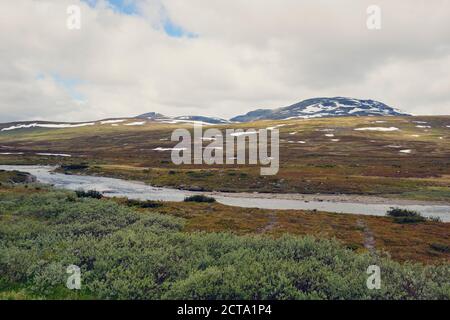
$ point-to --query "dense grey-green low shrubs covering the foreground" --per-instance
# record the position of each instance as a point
(127, 253)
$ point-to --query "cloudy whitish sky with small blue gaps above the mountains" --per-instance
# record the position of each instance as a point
(218, 57)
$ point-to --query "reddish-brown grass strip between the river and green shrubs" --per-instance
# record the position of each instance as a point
(403, 242)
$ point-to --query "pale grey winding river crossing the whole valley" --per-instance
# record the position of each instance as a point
(138, 190)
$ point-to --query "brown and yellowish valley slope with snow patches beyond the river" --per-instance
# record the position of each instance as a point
(327, 156)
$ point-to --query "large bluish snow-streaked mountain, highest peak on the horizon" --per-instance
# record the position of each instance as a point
(321, 108)
